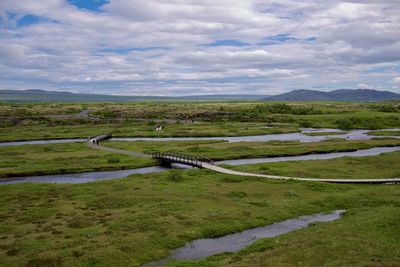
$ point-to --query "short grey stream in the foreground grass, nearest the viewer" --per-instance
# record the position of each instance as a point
(234, 242)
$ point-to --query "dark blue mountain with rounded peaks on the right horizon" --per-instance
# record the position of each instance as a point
(336, 95)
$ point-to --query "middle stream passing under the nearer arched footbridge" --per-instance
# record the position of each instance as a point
(108, 175)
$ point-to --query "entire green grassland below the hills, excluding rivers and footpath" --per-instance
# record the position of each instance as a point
(142, 218)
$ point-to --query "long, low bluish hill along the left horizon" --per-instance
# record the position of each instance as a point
(37, 95)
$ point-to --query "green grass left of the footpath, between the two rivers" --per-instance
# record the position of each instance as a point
(62, 158)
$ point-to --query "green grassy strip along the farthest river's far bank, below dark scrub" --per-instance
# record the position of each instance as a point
(141, 129)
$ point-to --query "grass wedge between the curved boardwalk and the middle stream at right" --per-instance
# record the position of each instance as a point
(380, 166)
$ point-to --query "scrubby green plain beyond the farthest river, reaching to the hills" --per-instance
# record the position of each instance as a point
(27, 121)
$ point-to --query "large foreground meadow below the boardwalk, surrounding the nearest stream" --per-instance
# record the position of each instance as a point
(141, 218)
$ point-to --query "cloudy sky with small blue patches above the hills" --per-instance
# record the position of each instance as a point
(192, 47)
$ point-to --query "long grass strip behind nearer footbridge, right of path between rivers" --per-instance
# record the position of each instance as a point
(219, 150)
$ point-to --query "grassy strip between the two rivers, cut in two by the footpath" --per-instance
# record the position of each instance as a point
(29, 160)
